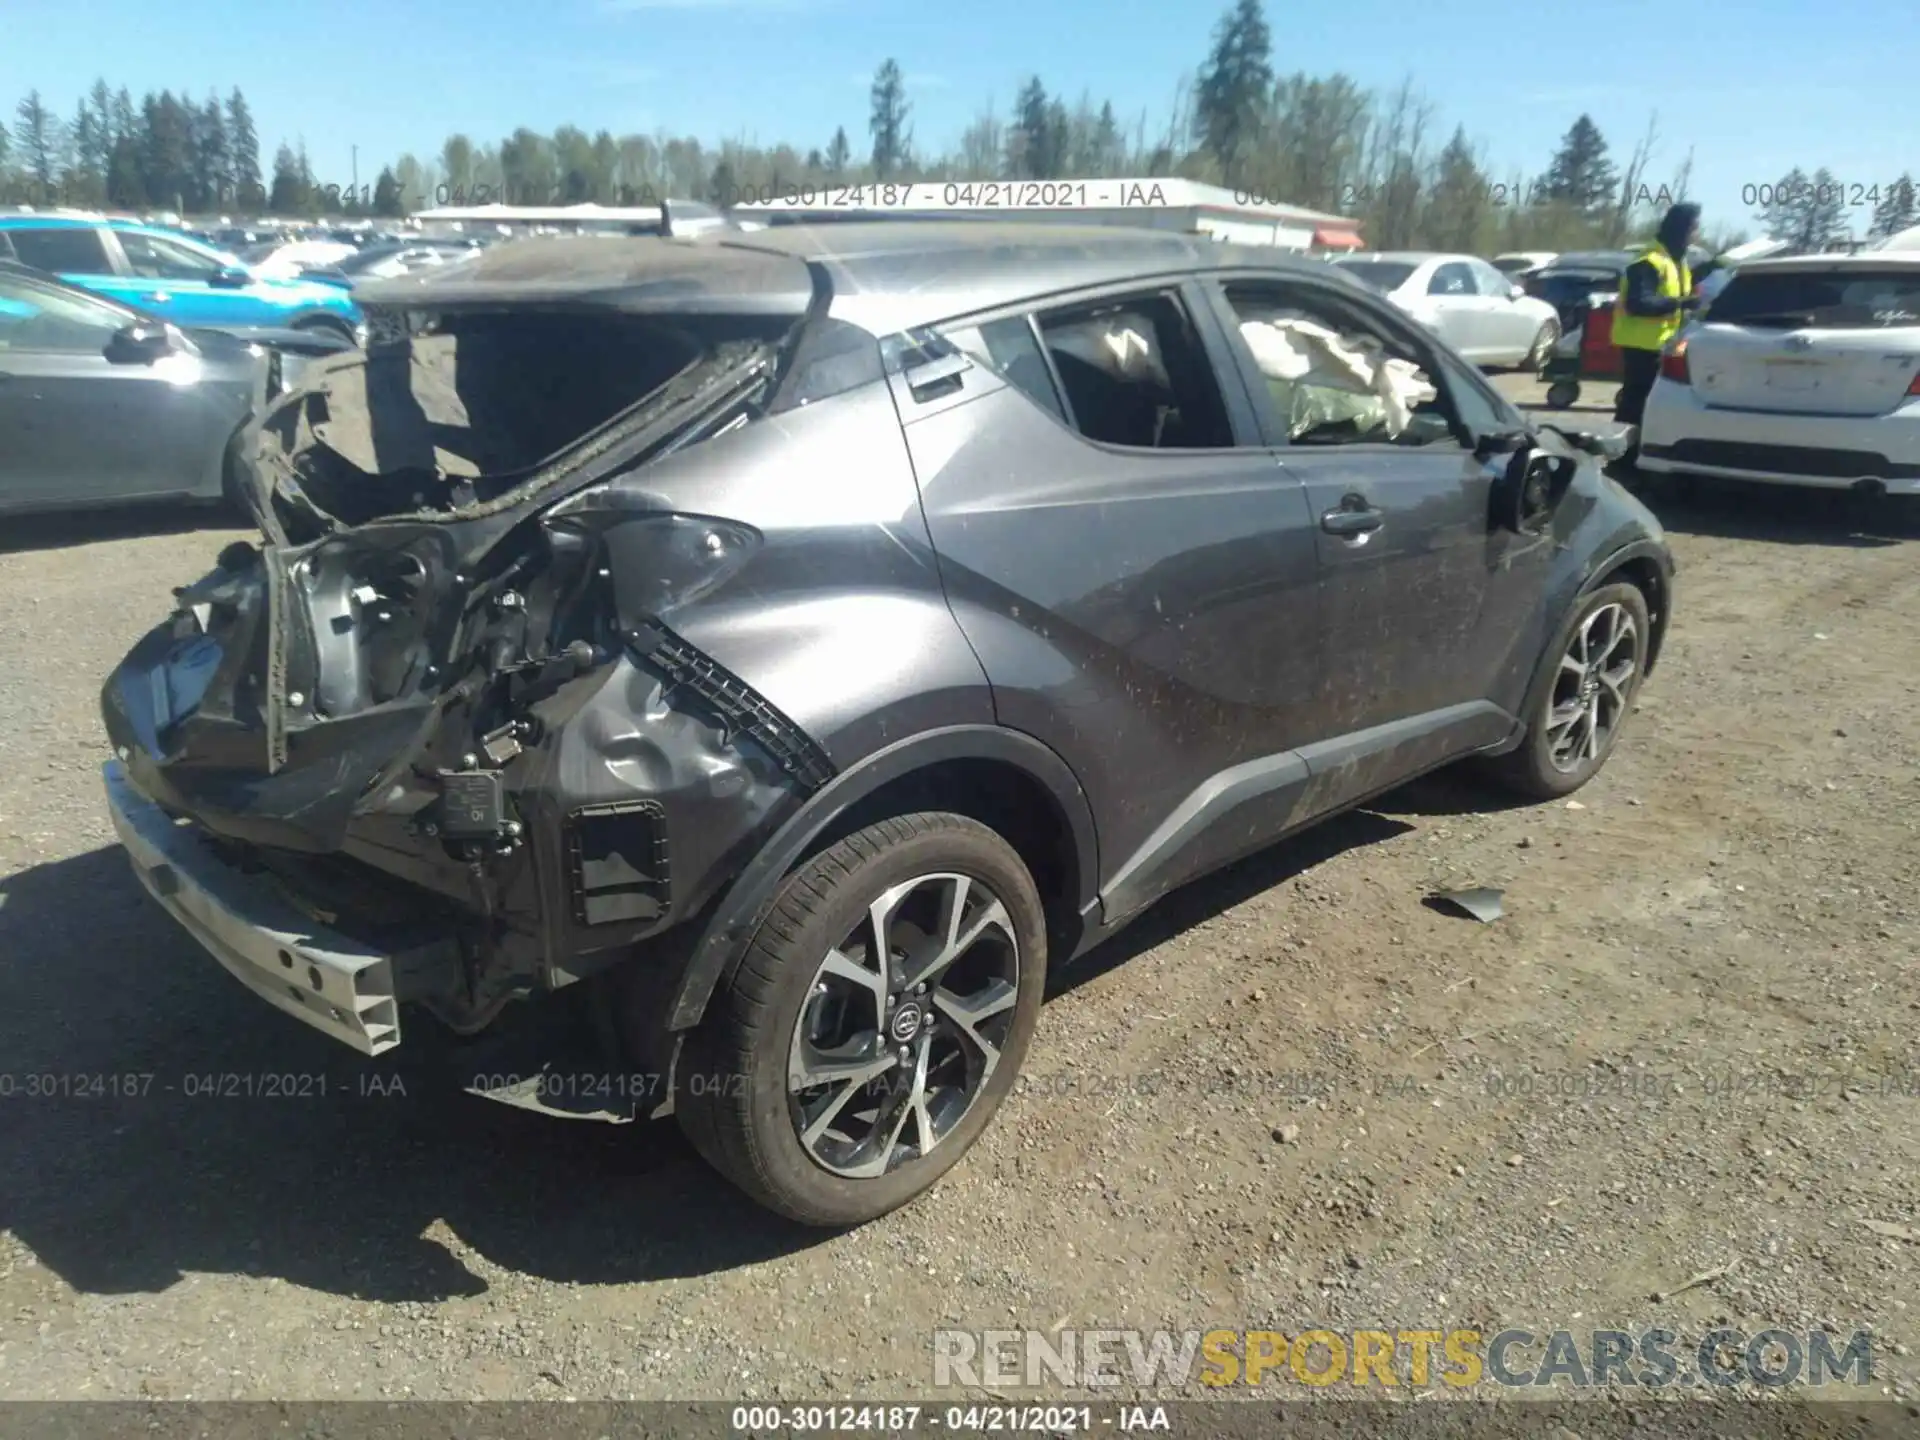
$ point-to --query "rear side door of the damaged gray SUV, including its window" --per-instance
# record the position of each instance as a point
(1132, 565)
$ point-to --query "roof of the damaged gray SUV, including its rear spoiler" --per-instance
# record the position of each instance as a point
(886, 276)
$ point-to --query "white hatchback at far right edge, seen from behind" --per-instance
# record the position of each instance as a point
(1804, 372)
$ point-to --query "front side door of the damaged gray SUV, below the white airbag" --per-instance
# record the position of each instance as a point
(1422, 596)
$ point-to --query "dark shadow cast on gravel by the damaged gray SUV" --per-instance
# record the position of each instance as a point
(160, 1120)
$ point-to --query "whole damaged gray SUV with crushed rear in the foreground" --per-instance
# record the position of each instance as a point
(804, 642)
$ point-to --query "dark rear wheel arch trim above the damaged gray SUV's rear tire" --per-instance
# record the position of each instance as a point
(1003, 779)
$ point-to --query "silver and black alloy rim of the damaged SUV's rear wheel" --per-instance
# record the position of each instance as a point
(903, 1026)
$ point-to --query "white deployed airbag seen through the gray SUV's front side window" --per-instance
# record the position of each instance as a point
(1322, 377)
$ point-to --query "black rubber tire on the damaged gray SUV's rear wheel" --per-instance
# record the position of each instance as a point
(732, 1092)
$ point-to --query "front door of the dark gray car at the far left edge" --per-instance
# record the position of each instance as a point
(84, 429)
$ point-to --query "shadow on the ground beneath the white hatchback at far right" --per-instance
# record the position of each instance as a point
(1785, 516)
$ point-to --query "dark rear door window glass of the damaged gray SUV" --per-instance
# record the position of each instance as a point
(1134, 373)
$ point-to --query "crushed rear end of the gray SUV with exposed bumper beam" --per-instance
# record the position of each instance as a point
(433, 740)
